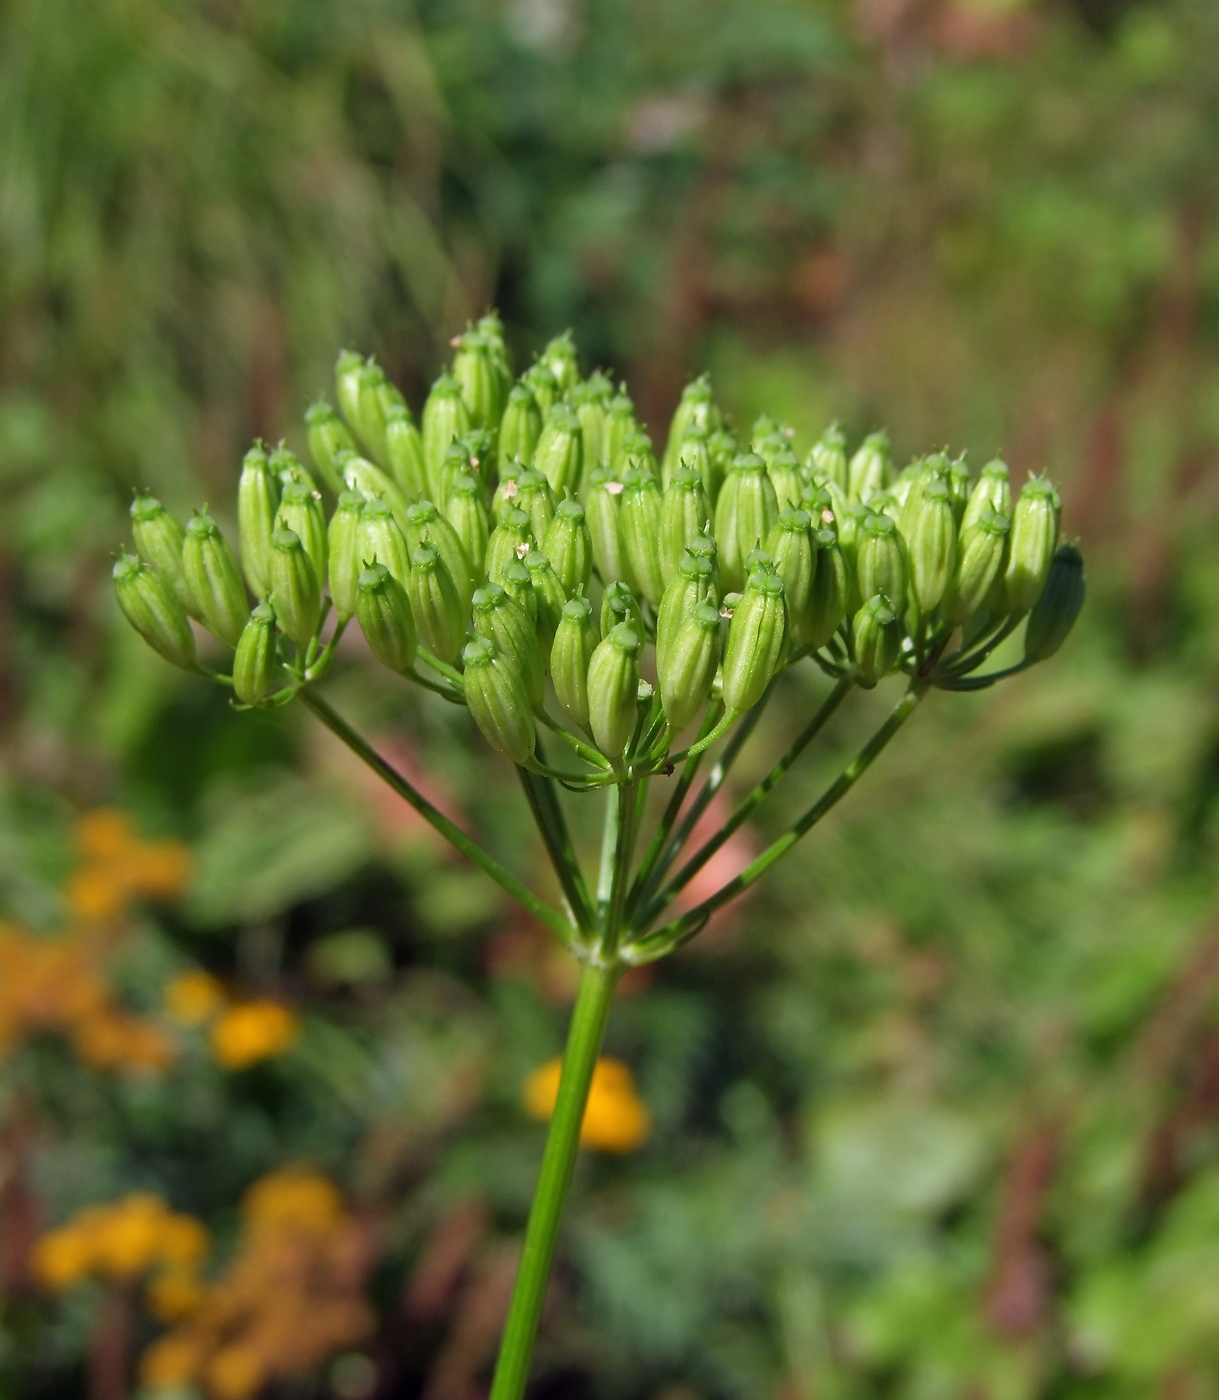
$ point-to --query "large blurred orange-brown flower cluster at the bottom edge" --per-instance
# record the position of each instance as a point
(289, 1300)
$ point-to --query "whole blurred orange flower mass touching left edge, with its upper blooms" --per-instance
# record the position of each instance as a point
(59, 983)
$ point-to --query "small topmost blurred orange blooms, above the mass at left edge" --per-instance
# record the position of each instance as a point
(117, 867)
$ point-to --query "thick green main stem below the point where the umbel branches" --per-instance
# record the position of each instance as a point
(584, 1039)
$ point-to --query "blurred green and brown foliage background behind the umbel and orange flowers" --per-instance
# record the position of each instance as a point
(937, 1118)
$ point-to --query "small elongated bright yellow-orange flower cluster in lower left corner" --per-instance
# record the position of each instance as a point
(121, 1242)
